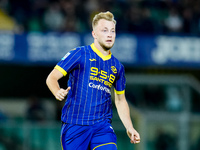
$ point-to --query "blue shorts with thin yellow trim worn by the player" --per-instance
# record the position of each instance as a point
(99, 136)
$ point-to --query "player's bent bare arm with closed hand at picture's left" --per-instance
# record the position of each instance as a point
(53, 85)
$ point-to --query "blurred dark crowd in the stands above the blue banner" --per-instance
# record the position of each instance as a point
(133, 16)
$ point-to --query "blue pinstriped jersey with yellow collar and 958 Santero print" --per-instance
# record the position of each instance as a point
(91, 76)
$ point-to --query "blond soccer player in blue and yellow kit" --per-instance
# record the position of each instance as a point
(93, 70)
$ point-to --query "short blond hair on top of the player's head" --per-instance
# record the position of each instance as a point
(103, 15)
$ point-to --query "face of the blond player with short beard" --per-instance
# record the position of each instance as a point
(105, 34)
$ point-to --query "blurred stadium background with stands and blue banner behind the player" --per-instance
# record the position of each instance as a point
(157, 41)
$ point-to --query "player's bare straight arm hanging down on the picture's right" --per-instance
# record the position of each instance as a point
(124, 114)
